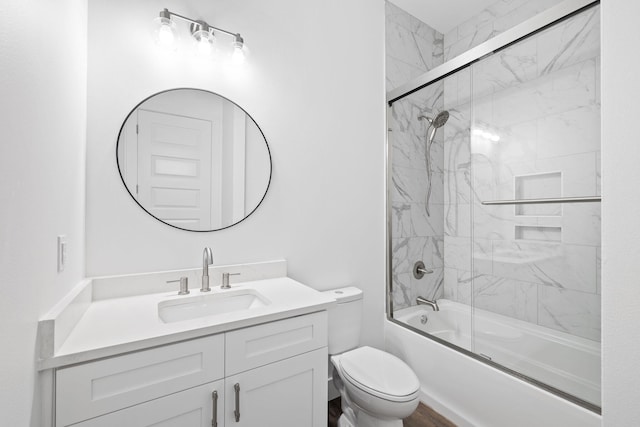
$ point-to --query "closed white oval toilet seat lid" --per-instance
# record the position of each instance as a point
(379, 372)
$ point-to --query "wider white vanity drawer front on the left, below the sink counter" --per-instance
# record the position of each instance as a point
(104, 386)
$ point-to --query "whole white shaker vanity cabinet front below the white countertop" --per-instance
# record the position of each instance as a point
(273, 374)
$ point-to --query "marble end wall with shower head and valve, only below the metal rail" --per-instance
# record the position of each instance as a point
(417, 225)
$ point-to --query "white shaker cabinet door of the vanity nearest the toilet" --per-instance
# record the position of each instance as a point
(288, 393)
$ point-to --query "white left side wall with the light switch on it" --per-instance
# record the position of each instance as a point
(42, 117)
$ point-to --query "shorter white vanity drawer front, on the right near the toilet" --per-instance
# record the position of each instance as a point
(259, 345)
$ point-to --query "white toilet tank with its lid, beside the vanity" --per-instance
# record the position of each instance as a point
(345, 319)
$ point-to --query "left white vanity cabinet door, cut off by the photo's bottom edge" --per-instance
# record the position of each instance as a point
(190, 408)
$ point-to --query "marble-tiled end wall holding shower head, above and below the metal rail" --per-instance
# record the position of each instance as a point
(413, 48)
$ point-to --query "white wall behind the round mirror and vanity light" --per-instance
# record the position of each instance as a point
(314, 84)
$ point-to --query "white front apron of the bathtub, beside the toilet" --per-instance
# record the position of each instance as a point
(471, 393)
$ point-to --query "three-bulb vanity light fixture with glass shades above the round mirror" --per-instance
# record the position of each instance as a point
(166, 35)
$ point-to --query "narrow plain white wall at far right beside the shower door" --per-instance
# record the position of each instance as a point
(620, 214)
